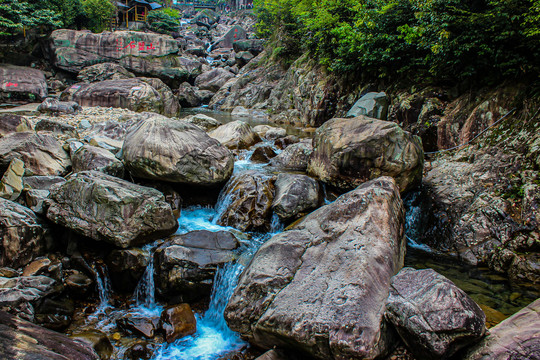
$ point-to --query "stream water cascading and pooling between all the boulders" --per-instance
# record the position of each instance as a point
(214, 339)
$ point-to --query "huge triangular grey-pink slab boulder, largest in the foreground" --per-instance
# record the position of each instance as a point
(321, 286)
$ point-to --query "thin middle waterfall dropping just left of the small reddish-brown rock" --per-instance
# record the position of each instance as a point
(145, 292)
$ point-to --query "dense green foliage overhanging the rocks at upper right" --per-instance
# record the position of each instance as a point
(445, 40)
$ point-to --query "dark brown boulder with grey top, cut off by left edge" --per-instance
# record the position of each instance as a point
(22, 234)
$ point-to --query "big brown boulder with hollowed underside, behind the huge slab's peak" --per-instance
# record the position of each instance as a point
(347, 152)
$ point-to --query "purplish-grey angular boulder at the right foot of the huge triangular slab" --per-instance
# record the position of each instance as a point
(433, 316)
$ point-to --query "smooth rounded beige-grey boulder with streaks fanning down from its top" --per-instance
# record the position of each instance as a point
(159, 148)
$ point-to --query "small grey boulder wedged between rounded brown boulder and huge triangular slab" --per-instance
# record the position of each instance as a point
(296, 195)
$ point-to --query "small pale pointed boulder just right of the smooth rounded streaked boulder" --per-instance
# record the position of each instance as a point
(235, 135)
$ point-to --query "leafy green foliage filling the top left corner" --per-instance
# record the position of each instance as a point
(18, 15)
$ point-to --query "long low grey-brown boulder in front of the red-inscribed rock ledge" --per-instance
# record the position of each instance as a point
(136, 94)
